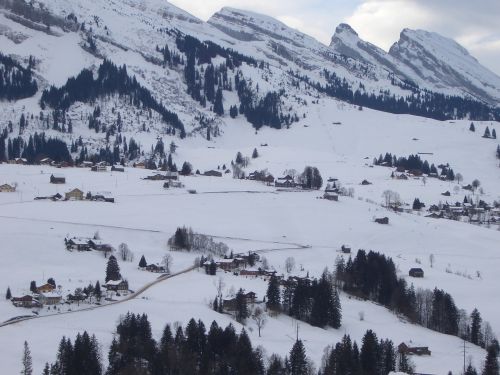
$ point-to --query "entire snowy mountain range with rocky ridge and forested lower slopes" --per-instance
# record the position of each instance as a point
(65, 37)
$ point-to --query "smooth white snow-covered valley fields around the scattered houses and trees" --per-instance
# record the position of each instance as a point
(251, 216)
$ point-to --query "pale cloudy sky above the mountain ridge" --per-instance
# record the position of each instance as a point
(472, 23)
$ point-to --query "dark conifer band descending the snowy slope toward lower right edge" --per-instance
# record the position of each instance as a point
(372, 276)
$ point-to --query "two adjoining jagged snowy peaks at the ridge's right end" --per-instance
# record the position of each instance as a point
(428, 59)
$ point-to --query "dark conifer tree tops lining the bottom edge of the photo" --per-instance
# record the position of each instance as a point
(196, 350)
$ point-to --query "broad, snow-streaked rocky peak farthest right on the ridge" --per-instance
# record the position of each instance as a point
(445, 63)
